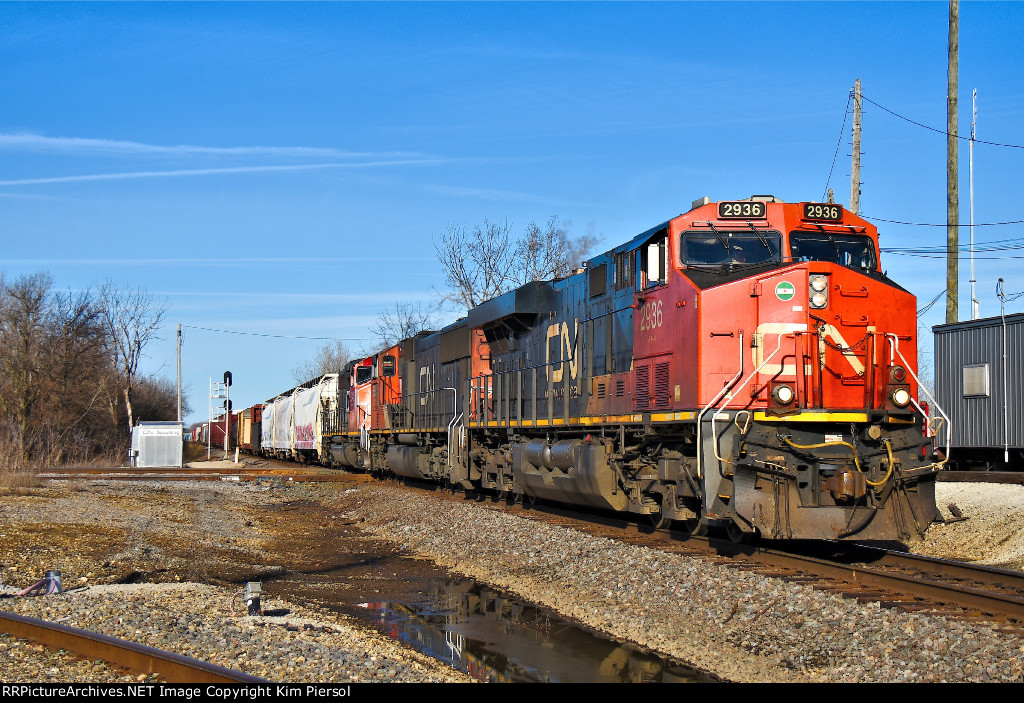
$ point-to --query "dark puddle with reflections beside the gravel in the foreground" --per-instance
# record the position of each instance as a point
(496, 638)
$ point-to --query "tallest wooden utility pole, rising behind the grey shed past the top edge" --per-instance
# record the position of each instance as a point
(953, 172)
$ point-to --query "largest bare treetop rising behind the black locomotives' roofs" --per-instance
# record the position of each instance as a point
(487, 261)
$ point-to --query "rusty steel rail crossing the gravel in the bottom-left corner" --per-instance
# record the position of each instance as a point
(139, 658)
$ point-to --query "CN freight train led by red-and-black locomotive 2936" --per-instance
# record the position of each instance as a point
(746, 368)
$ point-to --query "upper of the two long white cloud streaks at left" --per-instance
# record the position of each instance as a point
(86, 147)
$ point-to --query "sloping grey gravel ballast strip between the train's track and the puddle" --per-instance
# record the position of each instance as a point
(739, 626)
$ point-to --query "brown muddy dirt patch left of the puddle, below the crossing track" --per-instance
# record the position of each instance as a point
(99, 533)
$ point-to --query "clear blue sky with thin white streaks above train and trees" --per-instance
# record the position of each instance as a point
(284, 169)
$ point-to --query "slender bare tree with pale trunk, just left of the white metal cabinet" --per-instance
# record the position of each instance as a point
(132, 319)
